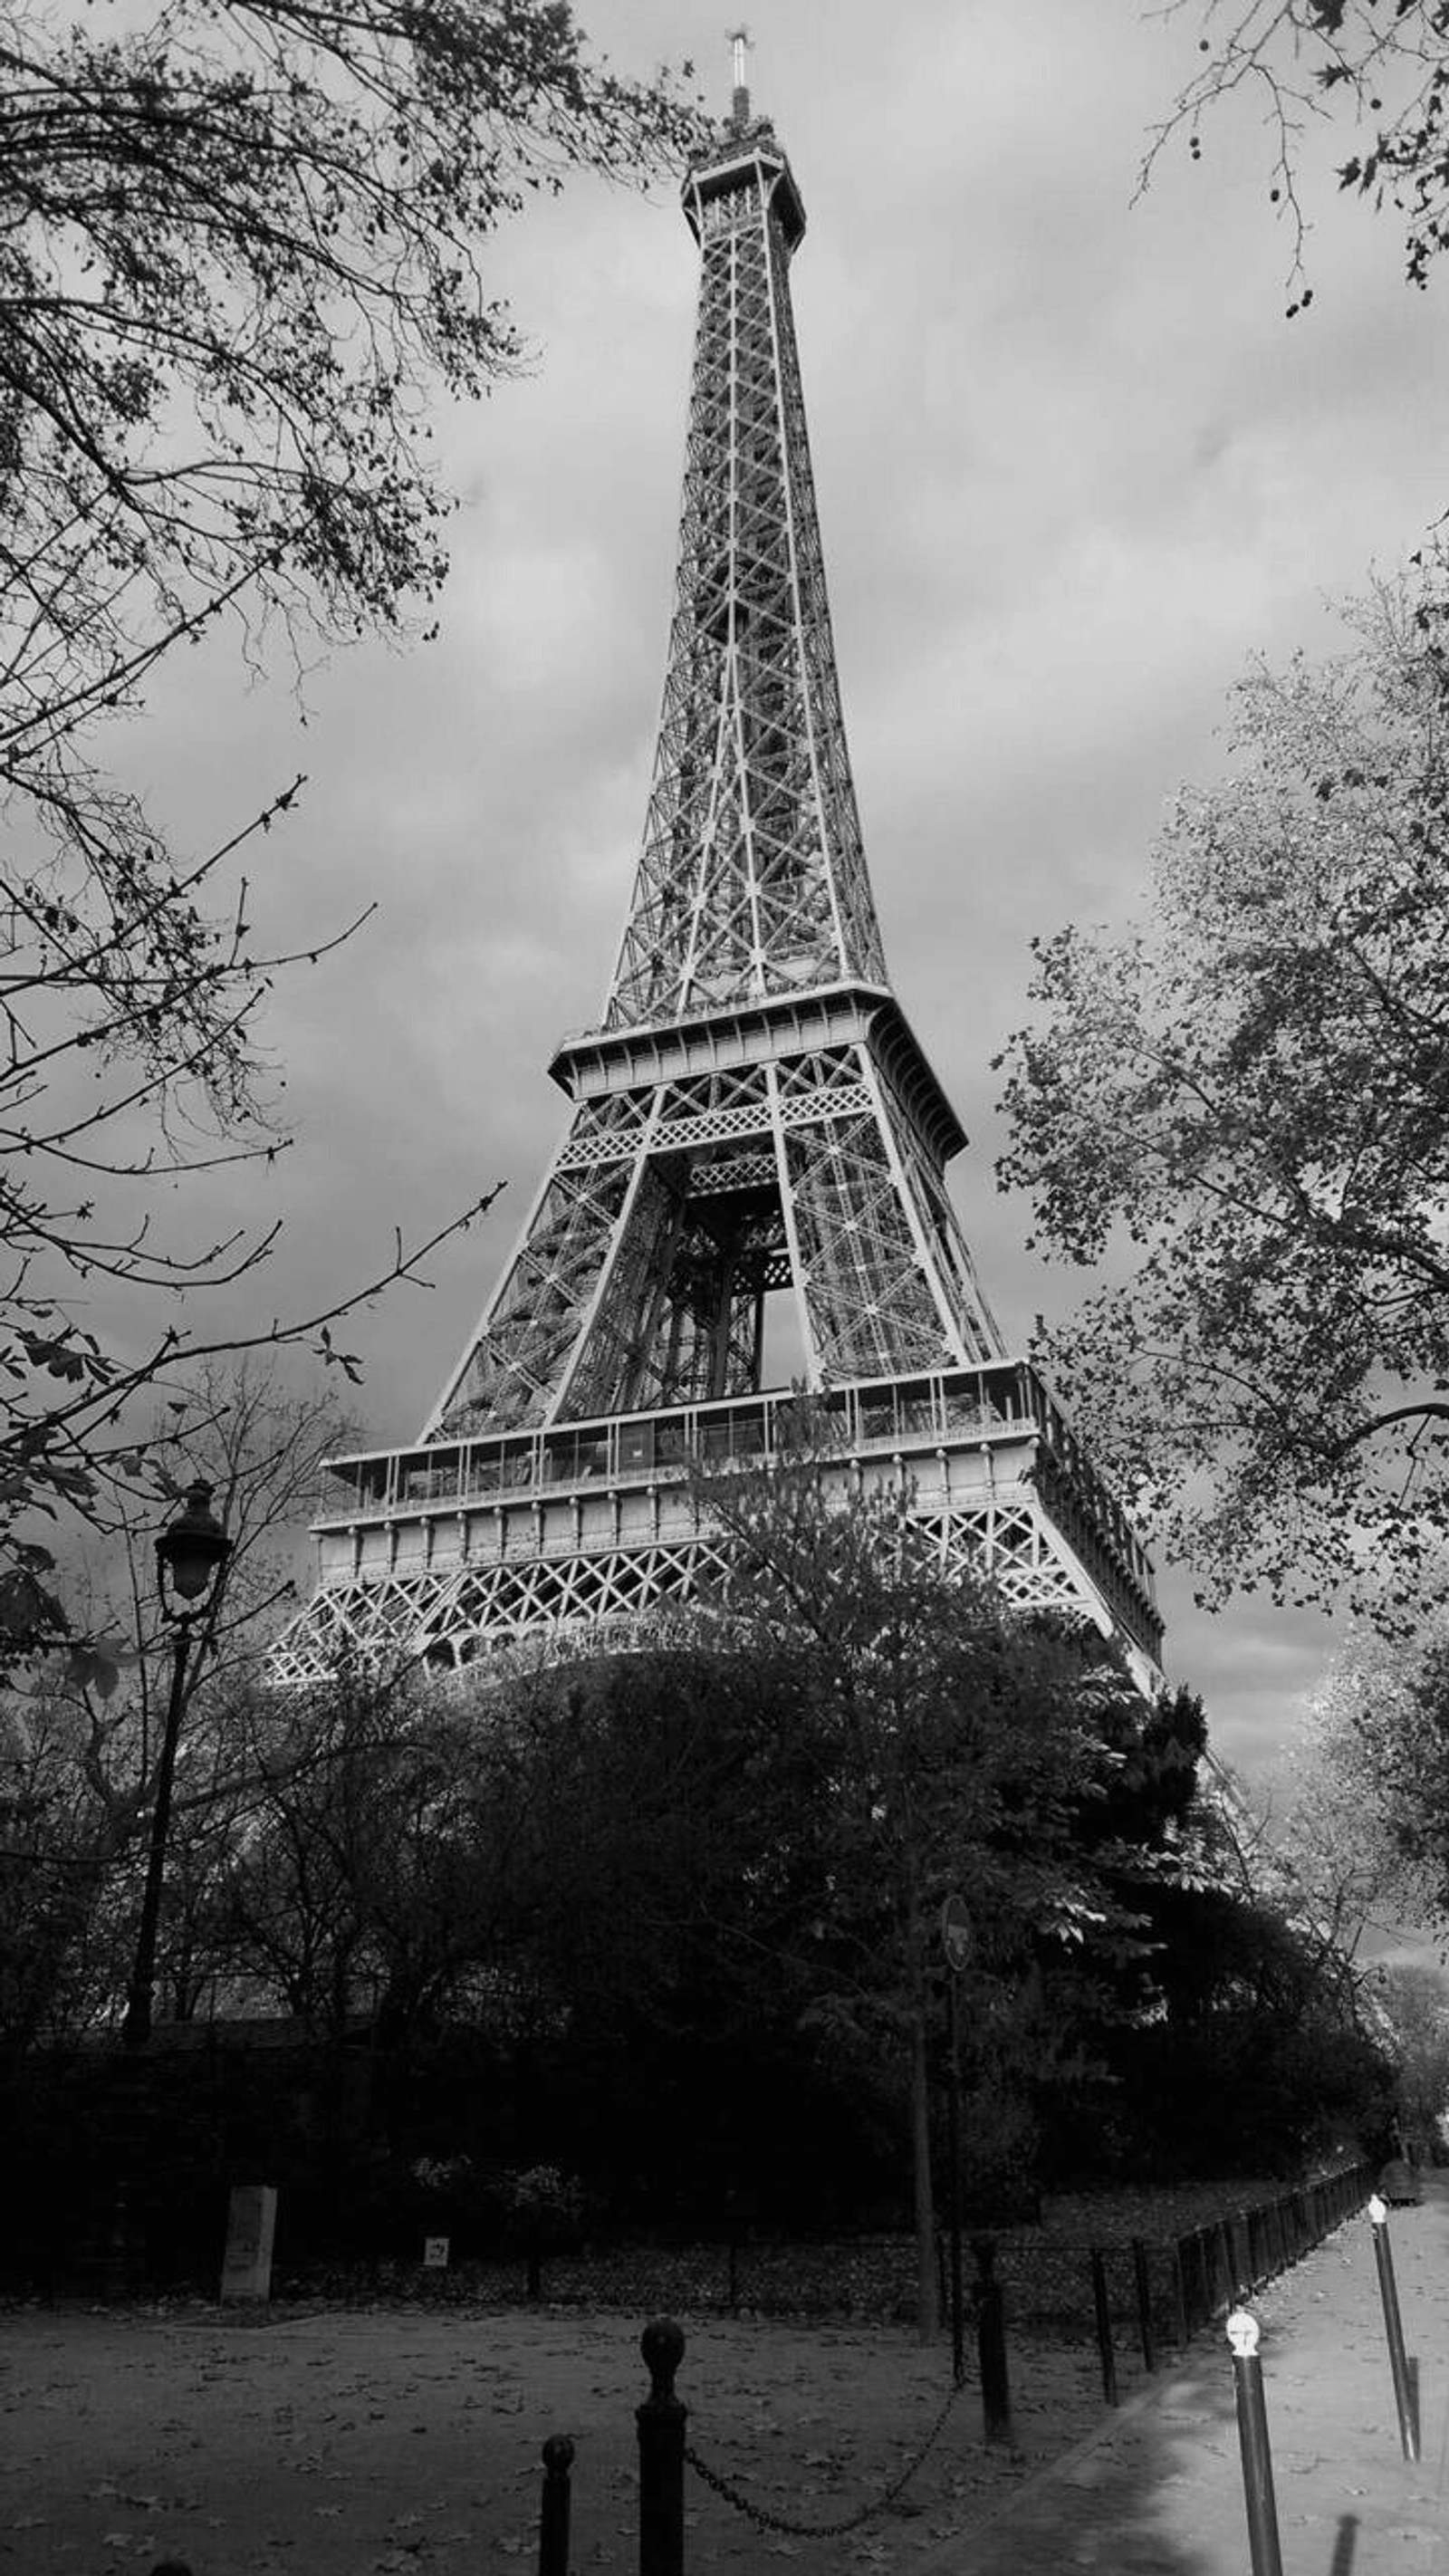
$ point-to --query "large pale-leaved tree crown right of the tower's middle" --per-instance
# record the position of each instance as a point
(1242, 1106)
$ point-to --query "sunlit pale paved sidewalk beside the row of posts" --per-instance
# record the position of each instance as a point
(1159, 2487)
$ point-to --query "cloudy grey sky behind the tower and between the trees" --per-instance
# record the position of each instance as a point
(1075, 470)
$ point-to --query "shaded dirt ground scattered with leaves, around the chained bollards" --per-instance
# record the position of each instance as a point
(385, 2443)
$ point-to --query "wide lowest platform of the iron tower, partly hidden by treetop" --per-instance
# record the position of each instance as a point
(591, 1534)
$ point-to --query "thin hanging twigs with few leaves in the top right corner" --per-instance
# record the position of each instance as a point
(1378, 63)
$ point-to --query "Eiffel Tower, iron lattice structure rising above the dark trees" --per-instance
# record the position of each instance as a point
(750, 1194)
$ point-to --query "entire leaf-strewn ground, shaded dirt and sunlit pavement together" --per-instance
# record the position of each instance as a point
(408, 2443)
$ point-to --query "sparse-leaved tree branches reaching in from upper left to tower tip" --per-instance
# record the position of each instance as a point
(241, 264)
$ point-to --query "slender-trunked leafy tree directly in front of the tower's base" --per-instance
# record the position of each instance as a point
(954, 1748)
